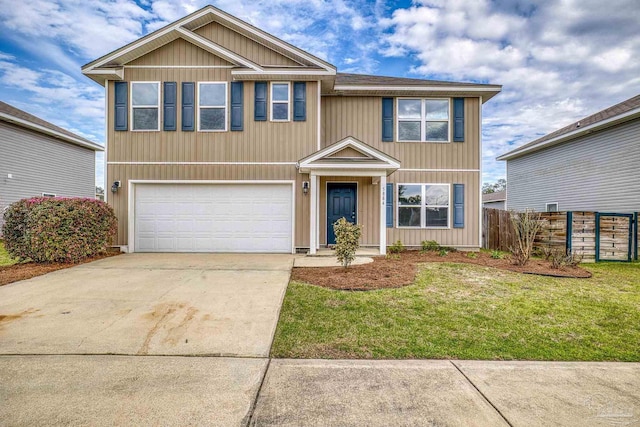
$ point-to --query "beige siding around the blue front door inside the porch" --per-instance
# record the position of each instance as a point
(368, 209)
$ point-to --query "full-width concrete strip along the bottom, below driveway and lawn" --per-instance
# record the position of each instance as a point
(178, 391)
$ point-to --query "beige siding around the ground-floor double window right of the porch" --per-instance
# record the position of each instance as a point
(469, 236)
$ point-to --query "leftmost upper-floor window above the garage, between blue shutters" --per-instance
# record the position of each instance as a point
(145, 105)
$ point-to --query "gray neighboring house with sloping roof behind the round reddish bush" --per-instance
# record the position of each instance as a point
(40, 159)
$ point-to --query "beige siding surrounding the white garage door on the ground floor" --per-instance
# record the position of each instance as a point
(124, 173)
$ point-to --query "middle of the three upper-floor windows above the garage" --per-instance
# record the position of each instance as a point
(212, 106)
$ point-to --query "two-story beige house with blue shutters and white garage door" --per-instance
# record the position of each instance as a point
(223, 138)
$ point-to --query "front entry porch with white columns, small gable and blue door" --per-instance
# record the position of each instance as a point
(348, 179)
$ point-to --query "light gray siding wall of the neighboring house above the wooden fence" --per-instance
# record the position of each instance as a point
(598, 172)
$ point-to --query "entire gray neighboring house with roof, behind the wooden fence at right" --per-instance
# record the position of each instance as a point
(590, 165)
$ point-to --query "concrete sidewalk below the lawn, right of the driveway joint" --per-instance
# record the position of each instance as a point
(448, 393)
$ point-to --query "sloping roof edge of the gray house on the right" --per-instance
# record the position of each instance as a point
(591, 123)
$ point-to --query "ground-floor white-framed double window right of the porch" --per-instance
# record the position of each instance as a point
(423, 205)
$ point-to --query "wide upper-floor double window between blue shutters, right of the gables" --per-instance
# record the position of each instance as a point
(425, 120)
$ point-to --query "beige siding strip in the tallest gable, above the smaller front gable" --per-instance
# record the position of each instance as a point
(243, 46)
